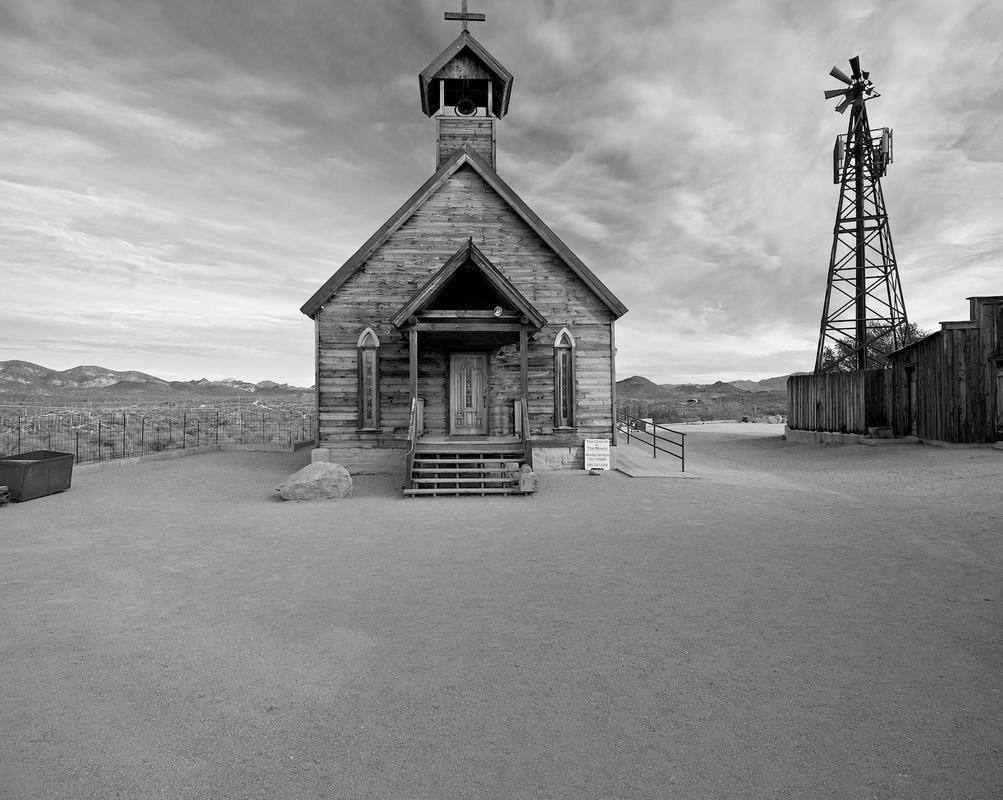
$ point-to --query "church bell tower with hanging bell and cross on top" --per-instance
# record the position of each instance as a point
(467, 91)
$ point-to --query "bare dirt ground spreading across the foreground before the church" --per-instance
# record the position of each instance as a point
(798, 622)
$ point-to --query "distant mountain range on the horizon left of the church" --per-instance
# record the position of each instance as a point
(26, 378)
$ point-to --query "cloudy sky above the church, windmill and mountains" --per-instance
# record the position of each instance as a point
(179, 177)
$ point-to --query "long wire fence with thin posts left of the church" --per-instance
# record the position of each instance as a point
(107, 436)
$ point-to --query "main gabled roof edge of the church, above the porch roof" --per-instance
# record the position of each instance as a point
(463, 157)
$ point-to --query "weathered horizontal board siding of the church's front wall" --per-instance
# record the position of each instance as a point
(466, 206)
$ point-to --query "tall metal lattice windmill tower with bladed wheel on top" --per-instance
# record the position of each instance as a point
(864, 318)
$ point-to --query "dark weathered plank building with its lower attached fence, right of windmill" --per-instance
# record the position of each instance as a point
(947, 387)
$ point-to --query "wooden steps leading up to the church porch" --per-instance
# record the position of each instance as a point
(466, 468)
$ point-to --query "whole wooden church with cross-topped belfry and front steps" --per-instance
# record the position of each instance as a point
(464, 344)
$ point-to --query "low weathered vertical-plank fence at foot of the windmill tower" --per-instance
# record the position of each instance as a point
(841, 403)
